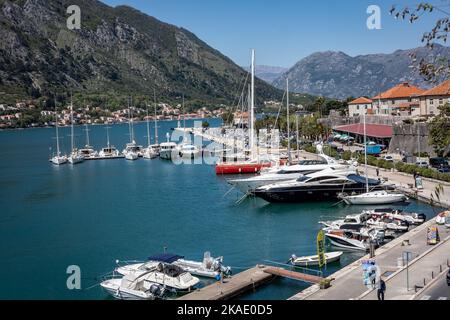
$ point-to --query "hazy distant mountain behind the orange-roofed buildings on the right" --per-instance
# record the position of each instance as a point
(338, 75)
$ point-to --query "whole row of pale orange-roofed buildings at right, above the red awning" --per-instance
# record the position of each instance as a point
(404, 100)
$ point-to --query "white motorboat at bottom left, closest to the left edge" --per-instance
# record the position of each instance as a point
(131, 287)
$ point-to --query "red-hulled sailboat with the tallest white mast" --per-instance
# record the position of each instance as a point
(253, 165)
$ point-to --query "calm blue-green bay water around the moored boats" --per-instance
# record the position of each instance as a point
(99, 211)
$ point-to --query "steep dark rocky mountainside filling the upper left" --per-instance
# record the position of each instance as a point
(117, 51)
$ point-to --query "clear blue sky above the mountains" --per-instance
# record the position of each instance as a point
(284, 31)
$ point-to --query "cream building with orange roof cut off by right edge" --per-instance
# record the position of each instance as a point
(432, 99)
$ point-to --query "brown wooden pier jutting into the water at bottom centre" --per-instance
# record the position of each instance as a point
(245, 281)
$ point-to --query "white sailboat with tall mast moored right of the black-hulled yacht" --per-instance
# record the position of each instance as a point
(377, 197)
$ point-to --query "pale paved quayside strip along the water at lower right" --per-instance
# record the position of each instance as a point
(348, 283)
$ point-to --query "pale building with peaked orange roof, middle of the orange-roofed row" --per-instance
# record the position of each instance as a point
(403, 99)
